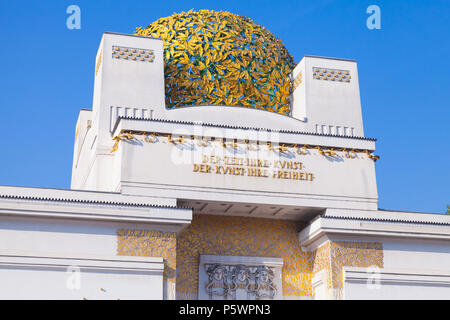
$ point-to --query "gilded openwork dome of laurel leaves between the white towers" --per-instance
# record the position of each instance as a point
(219, 58)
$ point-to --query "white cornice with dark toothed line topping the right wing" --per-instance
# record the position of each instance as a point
(374, 224)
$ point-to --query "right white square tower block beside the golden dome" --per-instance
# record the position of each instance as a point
(326, 96)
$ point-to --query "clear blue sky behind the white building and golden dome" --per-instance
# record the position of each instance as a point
(404, 71)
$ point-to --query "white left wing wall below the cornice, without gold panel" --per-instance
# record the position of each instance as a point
(25, 238)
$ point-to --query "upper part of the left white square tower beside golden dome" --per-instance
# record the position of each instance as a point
(129, 80)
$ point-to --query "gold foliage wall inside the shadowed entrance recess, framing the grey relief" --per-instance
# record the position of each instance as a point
(241, 236)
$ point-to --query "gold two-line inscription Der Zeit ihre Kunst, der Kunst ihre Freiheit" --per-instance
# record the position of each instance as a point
(238, 166)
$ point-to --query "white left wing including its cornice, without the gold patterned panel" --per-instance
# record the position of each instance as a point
(41, 238)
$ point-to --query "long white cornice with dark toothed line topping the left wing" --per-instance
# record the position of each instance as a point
(87, 205)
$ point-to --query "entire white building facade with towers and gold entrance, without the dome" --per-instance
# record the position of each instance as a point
(218, 202)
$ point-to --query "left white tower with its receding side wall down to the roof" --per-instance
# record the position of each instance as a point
(129, 81)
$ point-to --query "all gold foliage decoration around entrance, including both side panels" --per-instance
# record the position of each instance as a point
(242, 236)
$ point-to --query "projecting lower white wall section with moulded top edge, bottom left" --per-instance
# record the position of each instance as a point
(29, 278)
